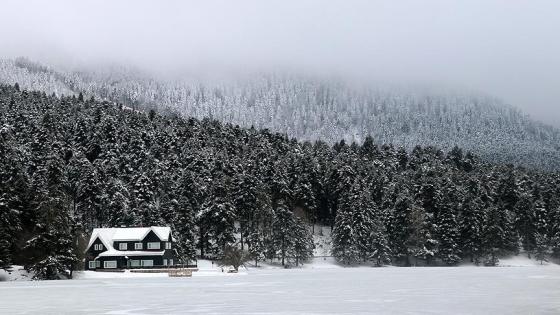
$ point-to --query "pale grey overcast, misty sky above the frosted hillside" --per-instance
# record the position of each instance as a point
(510, 49)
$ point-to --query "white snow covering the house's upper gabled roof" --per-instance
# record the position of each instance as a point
(109, 235)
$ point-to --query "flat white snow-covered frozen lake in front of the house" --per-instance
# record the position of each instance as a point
(461, 290)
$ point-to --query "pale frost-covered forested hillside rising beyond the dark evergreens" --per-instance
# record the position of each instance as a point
(311, 108)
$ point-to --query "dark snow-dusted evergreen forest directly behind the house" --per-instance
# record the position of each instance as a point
(69, 165)
